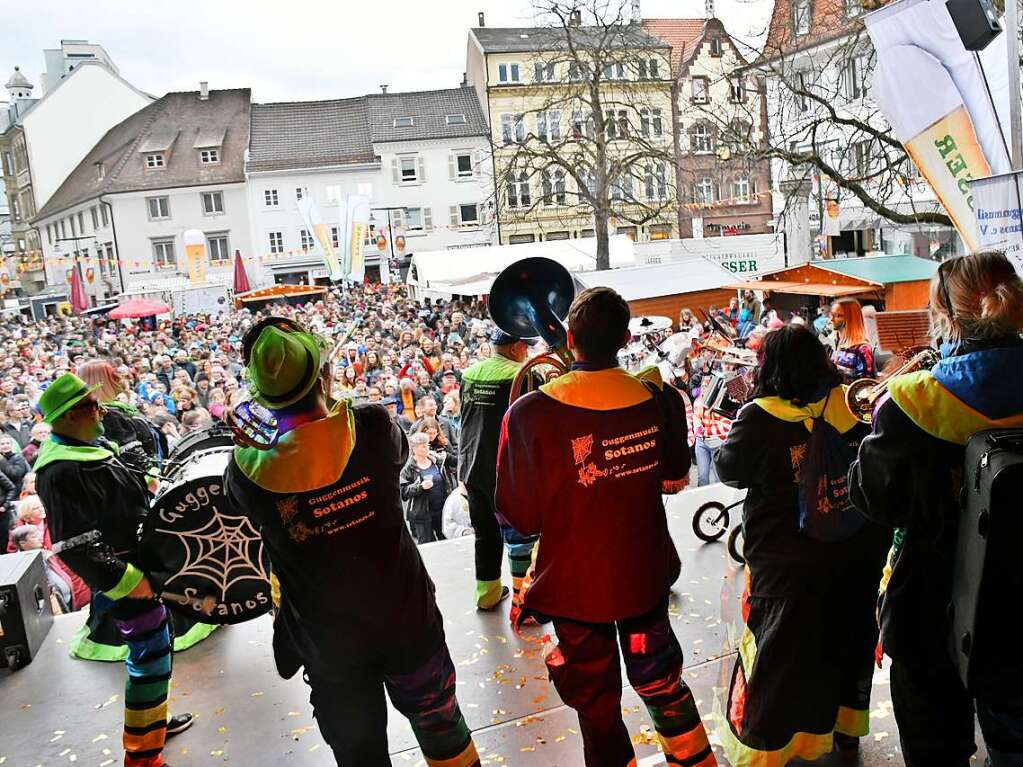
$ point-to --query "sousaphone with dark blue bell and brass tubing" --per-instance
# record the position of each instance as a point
(529, 299)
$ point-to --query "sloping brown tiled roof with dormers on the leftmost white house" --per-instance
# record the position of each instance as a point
(180, 116)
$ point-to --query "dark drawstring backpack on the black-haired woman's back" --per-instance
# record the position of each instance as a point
(826, 514)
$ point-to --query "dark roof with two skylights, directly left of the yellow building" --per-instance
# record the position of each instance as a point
(429, 111)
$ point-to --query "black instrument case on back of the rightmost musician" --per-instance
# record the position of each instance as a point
(987, 576)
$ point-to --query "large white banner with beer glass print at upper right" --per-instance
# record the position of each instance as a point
(933, 94)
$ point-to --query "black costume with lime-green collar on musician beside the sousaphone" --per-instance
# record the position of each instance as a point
(485, 393)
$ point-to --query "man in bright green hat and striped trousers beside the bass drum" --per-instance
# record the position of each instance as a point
(95, 506)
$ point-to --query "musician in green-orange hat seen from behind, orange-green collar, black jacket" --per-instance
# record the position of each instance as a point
(357, 606)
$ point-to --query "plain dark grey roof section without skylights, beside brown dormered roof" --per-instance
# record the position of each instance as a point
(310, 134)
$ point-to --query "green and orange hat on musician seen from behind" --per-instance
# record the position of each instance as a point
(284, 367)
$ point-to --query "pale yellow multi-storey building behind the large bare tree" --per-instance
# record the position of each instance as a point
(539, 87)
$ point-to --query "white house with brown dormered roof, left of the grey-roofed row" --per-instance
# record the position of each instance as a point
(176, 165)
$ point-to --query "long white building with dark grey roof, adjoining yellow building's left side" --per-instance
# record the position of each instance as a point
(421, 158)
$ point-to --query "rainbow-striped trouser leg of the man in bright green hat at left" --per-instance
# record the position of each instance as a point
(149, 664)
